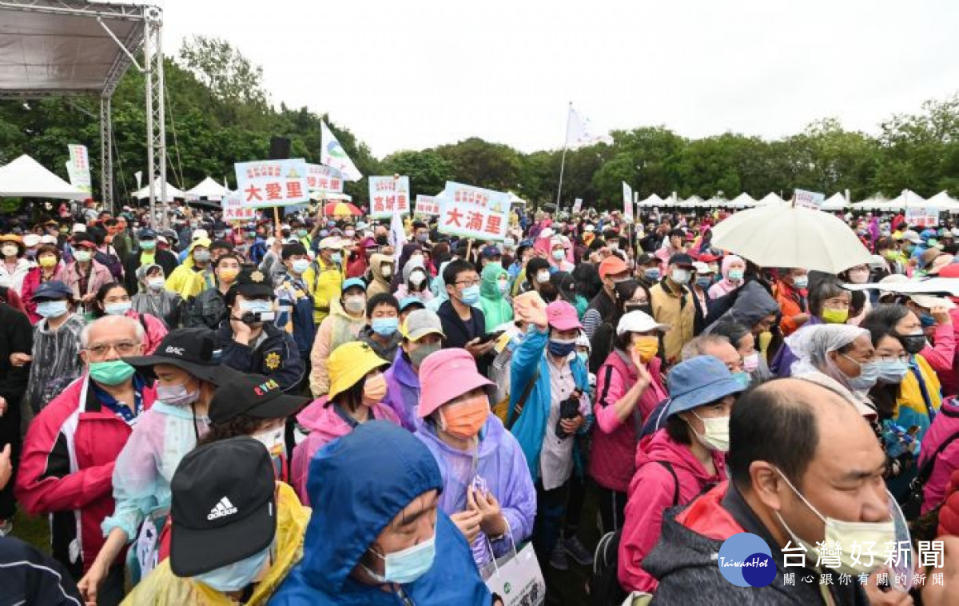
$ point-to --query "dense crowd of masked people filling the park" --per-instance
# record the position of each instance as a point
(314, 412)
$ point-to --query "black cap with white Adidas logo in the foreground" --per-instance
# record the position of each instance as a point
(223, 505)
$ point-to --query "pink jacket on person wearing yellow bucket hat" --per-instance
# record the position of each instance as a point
(325, 425)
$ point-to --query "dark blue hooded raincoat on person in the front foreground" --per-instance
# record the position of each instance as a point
(357, 485)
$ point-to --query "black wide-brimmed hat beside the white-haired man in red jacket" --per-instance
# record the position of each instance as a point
(191, 349)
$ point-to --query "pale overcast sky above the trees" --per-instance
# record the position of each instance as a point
(415, 74)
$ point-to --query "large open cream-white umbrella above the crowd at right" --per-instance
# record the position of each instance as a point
(773, 236)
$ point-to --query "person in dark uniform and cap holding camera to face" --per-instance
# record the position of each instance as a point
(248, 337)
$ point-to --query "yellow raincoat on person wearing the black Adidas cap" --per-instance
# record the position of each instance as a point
(161, 587)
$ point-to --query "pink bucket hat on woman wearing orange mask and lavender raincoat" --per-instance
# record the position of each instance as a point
(445, 375)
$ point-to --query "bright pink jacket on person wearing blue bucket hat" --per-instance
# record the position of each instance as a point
(651, 493)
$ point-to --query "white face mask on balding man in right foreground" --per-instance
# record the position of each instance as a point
(841, 534)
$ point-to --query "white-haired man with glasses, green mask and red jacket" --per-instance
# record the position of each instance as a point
(71, 447)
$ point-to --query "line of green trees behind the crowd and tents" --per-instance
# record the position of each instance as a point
(218, 113)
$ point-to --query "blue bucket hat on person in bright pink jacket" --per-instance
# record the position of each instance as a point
(699, 381)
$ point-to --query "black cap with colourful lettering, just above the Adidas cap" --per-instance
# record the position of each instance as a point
(255, 396)
